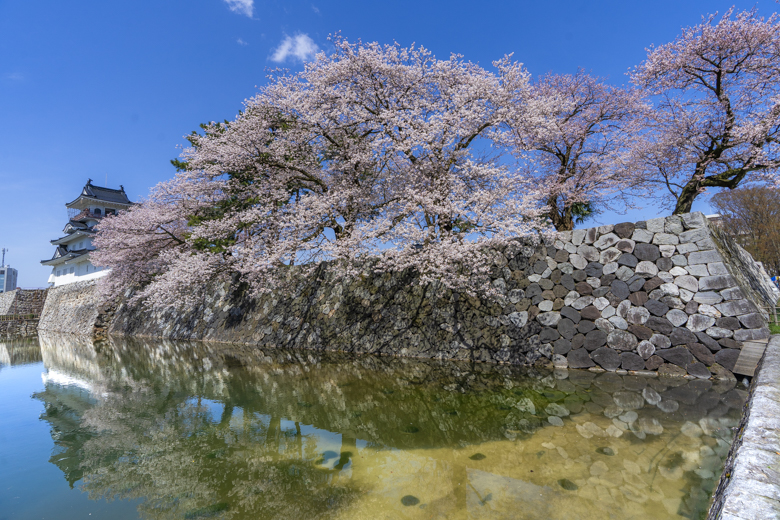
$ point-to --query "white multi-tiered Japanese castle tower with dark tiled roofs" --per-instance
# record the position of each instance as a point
(71, 262)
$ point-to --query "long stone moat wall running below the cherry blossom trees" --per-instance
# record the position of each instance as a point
(668, 295)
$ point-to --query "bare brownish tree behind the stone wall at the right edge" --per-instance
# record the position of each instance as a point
(751, 215)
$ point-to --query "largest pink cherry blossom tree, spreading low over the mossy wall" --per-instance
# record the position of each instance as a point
(376, 151)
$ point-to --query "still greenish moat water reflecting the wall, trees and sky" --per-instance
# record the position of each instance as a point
(177, 430)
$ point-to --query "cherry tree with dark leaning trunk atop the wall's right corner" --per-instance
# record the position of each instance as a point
(715, 122)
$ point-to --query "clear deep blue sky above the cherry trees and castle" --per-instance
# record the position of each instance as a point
(100, 89)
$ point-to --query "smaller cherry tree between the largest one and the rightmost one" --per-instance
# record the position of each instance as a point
(581, 159)
